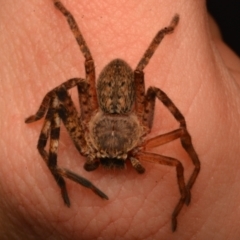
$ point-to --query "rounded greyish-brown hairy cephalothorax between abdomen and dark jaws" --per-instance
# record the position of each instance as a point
(113, 136)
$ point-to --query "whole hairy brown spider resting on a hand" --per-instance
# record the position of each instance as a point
(115, 117)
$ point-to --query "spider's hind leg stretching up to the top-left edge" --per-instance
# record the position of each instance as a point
(89, 97)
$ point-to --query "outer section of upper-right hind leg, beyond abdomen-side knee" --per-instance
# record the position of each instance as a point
(155, 43)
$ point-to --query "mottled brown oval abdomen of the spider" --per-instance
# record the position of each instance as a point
(115, 88)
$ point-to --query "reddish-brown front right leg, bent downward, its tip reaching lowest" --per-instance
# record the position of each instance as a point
(152, 157)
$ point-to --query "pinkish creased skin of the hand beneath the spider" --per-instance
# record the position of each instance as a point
(193, 66)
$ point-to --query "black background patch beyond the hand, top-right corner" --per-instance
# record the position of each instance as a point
(227, 15)
